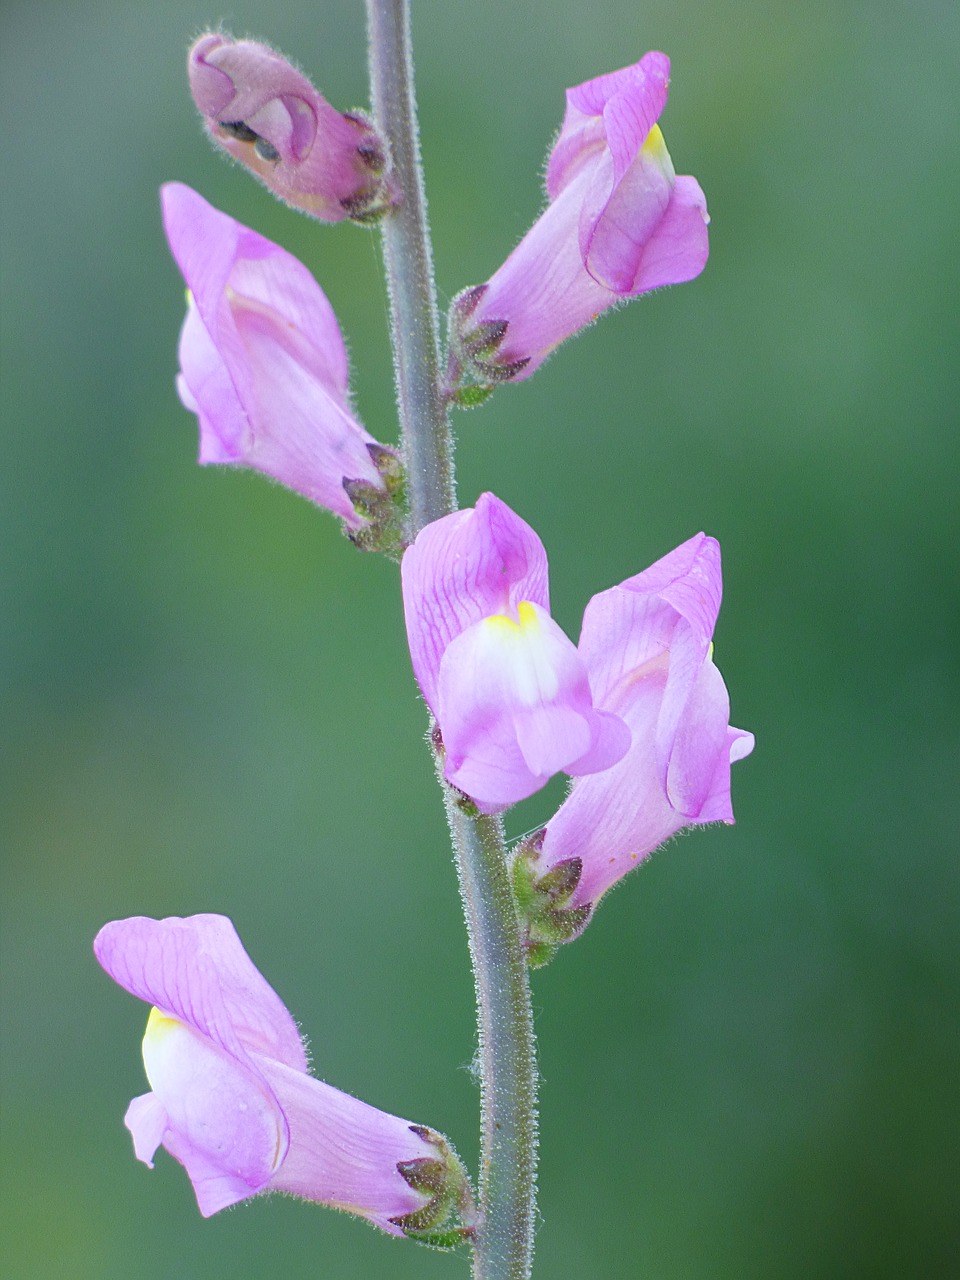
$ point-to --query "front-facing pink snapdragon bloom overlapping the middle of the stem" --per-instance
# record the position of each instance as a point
(509, 691)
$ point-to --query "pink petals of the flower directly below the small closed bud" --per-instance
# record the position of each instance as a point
(263, 363)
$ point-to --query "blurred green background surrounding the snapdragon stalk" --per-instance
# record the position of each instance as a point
(752, 1058)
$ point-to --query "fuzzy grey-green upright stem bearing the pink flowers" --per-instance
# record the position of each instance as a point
(505, 1236)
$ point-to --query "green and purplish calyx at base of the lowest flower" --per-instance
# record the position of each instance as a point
(449, 1218)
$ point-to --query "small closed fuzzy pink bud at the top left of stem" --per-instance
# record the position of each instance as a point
(269, 117)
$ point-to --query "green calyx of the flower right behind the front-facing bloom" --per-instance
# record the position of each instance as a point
(546, 918)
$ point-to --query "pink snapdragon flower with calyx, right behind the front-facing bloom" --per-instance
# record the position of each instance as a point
(648, 648)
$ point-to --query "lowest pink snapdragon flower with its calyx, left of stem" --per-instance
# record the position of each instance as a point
(232, 1099)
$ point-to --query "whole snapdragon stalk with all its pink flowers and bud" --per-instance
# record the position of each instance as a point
(636, 714)
